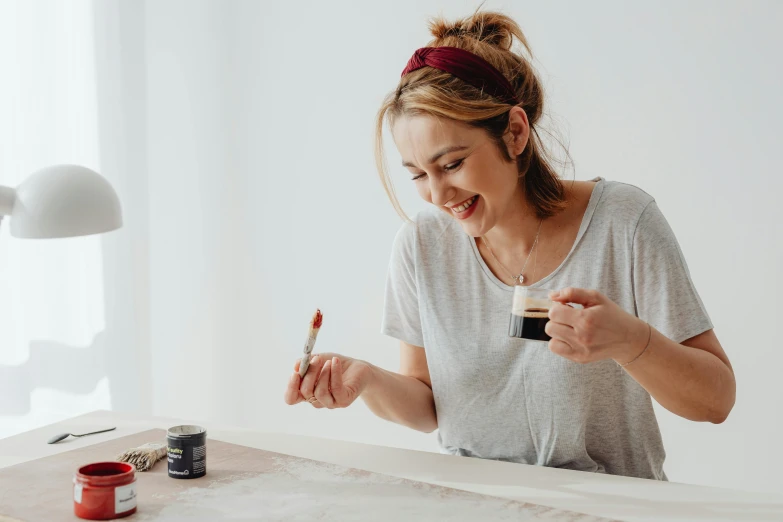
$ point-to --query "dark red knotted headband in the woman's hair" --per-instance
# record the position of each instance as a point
(466, 66)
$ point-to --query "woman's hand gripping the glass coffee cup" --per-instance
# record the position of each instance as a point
(601, 330)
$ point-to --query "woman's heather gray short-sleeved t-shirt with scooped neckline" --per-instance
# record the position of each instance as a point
(512, 399)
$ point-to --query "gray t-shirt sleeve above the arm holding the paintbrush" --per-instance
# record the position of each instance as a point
(401, 318)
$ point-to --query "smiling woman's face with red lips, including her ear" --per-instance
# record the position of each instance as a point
(460, 169)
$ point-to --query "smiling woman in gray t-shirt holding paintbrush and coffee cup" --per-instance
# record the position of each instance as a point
(464, 118)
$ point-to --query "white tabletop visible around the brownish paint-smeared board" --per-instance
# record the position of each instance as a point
(609, 496)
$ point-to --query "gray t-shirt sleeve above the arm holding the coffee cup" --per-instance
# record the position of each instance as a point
(664, 293)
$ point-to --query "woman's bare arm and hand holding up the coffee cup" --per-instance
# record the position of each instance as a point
(693, 380)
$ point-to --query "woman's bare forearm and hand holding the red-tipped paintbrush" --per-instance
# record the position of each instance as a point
(336, 381)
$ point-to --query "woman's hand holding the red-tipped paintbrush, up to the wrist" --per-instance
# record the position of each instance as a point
(332, 381)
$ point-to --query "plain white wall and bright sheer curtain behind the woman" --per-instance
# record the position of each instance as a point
(239, 136)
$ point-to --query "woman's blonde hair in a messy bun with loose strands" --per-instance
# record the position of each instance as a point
(429, 91)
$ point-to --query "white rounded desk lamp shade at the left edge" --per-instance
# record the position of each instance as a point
(61, 201)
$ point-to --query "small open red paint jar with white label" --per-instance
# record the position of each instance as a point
(104, 490)
